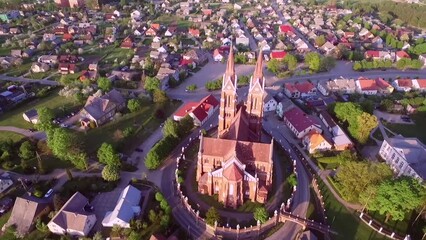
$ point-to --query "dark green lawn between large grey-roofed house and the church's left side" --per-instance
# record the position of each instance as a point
(142, 121)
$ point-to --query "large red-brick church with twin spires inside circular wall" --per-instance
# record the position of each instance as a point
(236, 165)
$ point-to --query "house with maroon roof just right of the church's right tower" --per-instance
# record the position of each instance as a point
(301, 123)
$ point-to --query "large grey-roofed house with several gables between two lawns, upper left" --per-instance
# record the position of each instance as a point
(100, 110)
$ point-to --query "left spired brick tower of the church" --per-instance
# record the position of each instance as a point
(228, 97)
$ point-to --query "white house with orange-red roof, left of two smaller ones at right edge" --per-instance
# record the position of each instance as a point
(373, 86)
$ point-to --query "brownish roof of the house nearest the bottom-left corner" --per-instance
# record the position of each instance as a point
(24, 212)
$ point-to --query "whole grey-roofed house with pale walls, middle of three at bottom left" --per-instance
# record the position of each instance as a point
(73, 219)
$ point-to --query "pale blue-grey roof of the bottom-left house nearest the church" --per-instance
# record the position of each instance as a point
(129, 198)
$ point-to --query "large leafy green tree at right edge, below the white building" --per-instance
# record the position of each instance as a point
(397, 197)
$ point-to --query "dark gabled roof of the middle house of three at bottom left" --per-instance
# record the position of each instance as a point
(72, 215)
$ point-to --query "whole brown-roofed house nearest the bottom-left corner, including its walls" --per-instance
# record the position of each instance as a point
(25, 212)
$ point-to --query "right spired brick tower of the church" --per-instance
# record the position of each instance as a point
(255, 98)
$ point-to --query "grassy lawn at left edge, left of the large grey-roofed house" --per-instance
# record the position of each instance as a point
(60, 105)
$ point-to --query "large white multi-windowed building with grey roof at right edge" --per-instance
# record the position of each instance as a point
(405, 156)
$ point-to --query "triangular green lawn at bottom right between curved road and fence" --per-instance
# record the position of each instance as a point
(346, 223)
